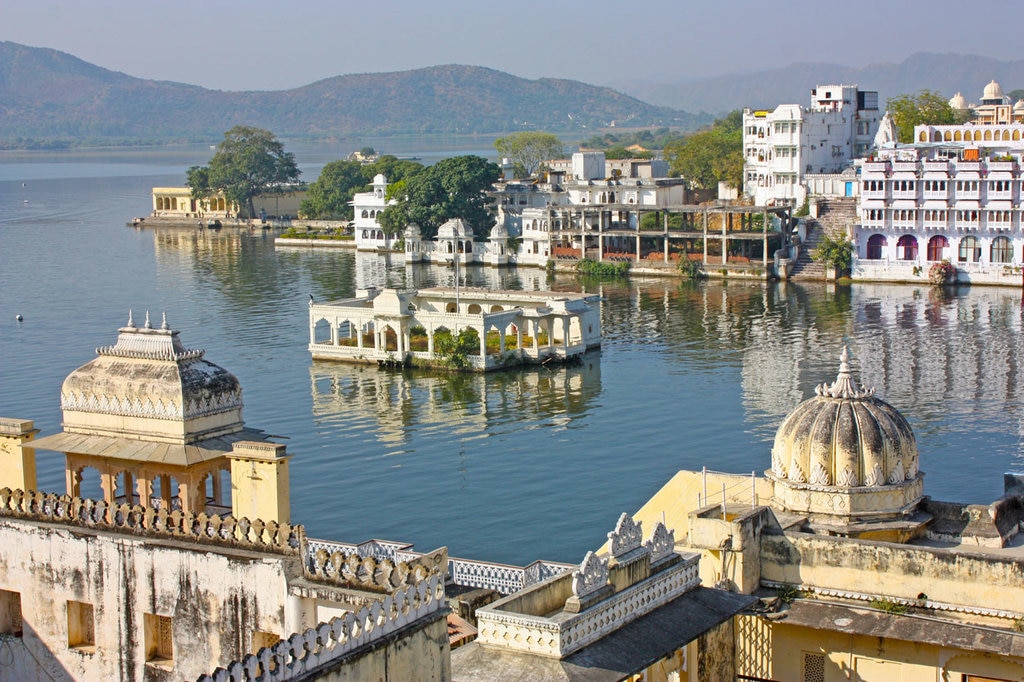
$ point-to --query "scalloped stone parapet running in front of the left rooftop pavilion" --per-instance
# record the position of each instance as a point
(151, 523)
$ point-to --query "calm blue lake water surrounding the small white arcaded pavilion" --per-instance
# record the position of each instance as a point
(509, 467)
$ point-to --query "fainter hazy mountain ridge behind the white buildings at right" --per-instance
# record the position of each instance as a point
(946, 73)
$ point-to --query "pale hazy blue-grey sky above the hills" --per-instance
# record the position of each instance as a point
(271, 45)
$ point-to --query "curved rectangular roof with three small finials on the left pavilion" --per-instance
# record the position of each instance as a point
(149, 387)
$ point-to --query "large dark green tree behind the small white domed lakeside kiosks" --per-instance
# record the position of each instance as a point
(455, 188)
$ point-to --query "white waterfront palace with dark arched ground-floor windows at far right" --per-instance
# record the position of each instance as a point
(954, 195)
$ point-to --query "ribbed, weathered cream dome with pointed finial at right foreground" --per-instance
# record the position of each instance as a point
(846, 453)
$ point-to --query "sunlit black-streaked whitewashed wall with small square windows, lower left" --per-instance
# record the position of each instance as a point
(216, 602)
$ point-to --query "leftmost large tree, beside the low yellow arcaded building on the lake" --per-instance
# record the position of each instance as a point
(247, 163)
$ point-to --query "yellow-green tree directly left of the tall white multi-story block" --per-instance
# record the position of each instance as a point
(711, 156)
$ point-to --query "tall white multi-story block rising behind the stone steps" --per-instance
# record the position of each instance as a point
(783, 147)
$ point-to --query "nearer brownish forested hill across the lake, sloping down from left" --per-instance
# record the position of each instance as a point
(48, 95)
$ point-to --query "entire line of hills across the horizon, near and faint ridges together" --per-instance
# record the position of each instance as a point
(50, 98)
